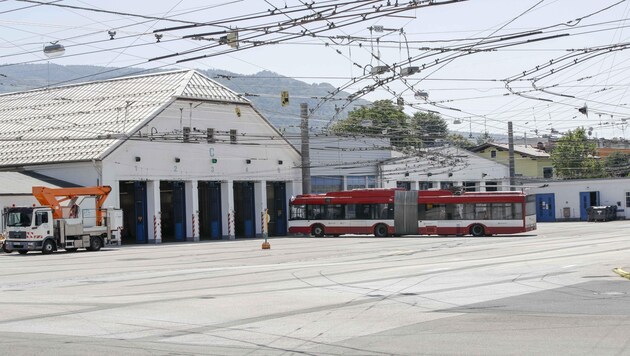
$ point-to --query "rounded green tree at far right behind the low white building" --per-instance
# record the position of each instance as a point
(573, 157)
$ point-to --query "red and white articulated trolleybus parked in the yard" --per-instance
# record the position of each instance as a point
(386, 212)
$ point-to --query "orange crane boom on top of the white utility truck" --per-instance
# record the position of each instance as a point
(52, 197)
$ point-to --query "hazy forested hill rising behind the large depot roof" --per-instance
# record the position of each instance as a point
(262, 89)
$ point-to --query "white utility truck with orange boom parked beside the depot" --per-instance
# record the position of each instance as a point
(53, 226)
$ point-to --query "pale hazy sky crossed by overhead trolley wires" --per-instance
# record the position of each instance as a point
(478, 63)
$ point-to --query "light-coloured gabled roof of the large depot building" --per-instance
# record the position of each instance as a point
(81, 122)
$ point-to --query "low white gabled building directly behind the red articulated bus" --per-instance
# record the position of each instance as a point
(442, 168)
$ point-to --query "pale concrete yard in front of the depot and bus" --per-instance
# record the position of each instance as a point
(549, 291)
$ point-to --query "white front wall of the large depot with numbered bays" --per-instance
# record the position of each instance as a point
(158, 153)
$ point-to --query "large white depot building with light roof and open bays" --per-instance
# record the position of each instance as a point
(187, 158)
